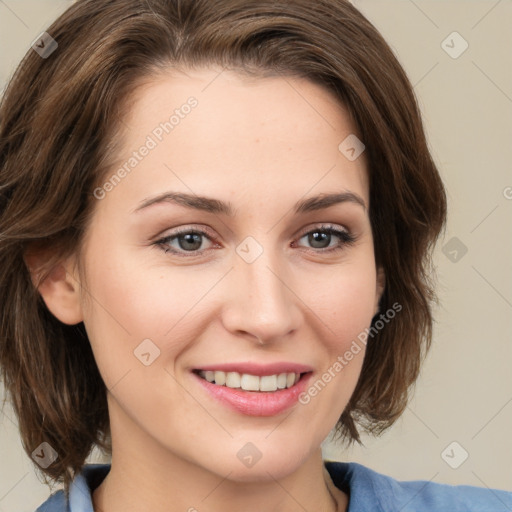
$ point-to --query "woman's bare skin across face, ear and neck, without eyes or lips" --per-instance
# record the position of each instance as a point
(261, 144)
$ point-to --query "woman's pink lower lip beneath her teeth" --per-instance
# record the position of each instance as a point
(256, 403)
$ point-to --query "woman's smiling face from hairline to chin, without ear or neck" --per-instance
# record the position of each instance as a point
(266, 286)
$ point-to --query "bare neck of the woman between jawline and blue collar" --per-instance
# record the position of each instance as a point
(144, 475)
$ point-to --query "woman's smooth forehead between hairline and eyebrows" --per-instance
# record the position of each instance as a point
(218, 133)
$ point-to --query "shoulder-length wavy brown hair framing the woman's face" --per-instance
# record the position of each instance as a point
(58, 119)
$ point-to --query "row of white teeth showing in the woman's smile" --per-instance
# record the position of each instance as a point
(249, 382)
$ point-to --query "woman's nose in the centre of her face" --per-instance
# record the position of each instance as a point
(261, 303)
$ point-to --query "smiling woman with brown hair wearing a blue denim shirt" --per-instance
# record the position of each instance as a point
(217, 220)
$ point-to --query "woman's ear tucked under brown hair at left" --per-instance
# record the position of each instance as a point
(60, 290)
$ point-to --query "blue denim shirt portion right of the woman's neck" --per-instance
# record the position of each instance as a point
(370, 490)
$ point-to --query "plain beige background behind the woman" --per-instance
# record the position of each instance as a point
(465, 390)
